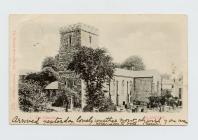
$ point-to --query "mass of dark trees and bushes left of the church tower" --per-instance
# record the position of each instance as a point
(31, 96)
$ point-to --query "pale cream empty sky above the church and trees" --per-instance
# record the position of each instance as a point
(159, 39)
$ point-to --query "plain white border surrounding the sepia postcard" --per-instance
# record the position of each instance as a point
(189, 8)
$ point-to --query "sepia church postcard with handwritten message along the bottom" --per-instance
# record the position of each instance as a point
(98, 69)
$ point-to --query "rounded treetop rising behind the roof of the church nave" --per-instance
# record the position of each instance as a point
(133, 63)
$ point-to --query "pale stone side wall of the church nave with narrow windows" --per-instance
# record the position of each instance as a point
(123, 90)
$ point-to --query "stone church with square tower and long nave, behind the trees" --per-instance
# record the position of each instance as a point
(126, 85)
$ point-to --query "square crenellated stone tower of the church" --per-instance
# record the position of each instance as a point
(71, 38)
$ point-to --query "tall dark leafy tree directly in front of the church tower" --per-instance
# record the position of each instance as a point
(95, 67)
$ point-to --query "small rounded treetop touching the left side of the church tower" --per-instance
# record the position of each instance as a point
(50, 62)
